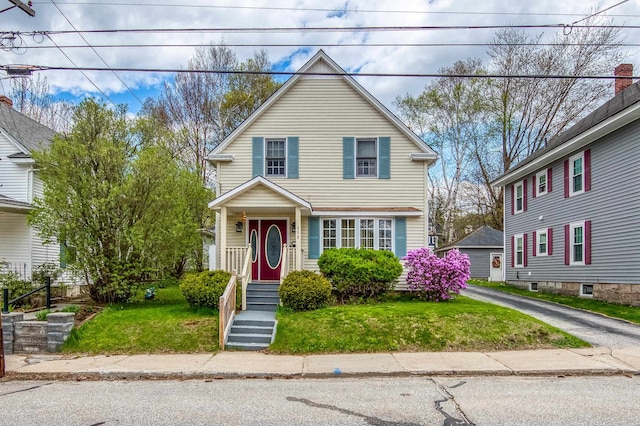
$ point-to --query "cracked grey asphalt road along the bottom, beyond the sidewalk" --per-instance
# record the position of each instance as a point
(391, 401)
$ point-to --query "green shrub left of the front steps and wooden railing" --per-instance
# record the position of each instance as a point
(203, 289)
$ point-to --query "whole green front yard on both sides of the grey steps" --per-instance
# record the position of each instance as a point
(168, 325)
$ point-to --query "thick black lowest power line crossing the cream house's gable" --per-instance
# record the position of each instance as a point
(288, 73)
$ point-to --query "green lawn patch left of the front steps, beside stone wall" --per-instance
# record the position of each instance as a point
(164, 325)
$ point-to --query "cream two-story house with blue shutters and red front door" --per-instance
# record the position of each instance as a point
(320, 164)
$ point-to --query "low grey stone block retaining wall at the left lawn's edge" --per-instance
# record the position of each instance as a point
(36, 336)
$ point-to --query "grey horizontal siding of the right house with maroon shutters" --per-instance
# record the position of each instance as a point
(612, 205)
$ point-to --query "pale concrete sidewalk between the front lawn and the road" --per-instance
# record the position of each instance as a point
(551, 362)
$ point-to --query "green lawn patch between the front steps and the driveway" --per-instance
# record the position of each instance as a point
(462, 324)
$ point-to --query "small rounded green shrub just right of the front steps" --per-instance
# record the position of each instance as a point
(304, 291)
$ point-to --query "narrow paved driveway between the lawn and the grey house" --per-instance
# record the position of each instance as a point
(593, 328)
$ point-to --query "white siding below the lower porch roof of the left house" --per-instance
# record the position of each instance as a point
(14, 246)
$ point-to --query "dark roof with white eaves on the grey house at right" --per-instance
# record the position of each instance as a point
(618, 111)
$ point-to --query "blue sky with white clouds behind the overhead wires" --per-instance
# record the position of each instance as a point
(91, 15)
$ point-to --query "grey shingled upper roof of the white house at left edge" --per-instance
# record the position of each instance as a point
(28, 135)
